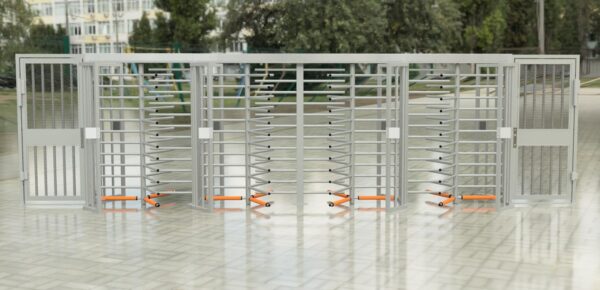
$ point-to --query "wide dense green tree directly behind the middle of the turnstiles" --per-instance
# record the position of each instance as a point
(332, 26)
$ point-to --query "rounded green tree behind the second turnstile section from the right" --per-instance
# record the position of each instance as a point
(423, 26)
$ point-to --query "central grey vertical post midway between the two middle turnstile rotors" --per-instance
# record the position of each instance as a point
(300, 137)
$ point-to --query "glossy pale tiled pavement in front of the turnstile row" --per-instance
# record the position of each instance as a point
(471, 246)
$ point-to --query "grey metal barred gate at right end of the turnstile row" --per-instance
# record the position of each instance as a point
(544, 117)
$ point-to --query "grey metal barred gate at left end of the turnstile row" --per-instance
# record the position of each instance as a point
(50, 134)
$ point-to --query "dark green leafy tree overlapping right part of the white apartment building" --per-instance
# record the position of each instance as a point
(190, 23)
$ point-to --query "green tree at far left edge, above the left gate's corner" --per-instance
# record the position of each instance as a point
(15, 19)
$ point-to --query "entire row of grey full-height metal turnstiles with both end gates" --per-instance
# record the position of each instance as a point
(125, 129)
